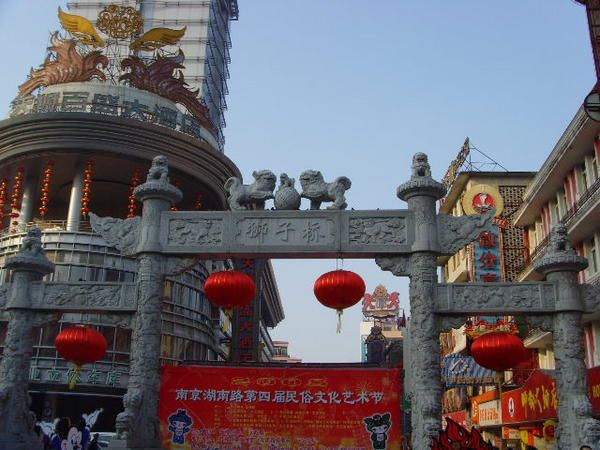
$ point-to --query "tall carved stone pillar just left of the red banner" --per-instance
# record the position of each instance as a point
(138, 427)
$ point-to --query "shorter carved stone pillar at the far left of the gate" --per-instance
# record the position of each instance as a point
(16, 423)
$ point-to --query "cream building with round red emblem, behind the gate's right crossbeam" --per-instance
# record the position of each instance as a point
(471, 397)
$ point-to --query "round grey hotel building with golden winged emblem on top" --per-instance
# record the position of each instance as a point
(79, 144)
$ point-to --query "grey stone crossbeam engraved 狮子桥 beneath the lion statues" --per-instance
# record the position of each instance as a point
(283, 234)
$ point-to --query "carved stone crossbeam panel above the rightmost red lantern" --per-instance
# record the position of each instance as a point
(496, 298)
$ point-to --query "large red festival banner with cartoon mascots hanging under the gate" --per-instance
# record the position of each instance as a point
(268, 407)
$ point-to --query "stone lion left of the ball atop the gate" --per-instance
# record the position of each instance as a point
(251, 196)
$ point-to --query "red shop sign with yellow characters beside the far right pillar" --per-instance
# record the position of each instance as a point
(537, 400)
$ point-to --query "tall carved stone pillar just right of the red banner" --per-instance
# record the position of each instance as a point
(421, 194)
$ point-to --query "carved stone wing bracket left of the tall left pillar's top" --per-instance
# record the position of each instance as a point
(122, 234)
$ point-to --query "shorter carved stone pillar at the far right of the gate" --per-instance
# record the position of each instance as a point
(576, 426)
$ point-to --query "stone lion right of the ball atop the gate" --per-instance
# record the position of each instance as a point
(317, 190)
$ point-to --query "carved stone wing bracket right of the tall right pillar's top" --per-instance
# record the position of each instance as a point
(456, 232)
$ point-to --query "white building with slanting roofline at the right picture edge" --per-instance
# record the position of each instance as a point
(566, 190)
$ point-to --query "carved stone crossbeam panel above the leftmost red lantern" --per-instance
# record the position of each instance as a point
(84, 297)
